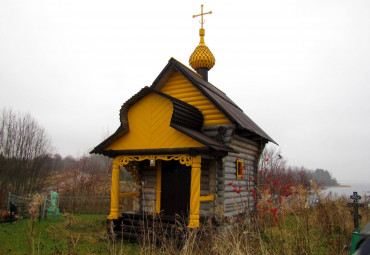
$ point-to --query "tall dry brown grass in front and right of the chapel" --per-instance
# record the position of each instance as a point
(301, 228)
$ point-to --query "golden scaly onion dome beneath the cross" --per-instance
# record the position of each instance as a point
(202, 57)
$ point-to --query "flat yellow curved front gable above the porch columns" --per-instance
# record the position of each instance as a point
(149, 127)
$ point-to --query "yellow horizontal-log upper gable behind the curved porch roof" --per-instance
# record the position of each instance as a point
(179, 87)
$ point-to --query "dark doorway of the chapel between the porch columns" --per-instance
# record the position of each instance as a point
(175, 195)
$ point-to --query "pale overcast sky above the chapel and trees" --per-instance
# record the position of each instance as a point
(299, 69)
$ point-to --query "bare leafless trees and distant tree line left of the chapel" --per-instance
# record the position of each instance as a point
(27, 162)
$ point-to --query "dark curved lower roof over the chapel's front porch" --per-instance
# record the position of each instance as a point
(185, 118)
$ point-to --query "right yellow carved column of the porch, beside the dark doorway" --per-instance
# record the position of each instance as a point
(195, 192)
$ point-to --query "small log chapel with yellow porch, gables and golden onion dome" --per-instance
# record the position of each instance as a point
(186, 141)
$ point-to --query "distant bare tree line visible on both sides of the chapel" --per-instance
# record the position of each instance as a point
(27, 164)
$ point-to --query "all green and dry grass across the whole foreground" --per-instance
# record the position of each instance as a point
(287, 227)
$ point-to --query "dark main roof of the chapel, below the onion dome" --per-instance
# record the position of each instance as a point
(216, 96)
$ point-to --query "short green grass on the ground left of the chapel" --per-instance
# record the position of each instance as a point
(51, 237)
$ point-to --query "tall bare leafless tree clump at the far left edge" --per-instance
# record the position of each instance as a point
(24, 153)
